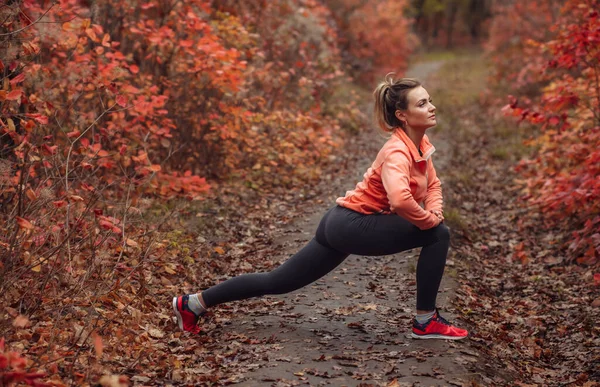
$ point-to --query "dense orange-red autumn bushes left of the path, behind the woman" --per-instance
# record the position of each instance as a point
(149, 99)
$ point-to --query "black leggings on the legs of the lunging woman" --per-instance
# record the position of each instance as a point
(343, 232)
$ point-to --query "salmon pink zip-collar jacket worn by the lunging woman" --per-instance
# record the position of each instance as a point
(399, 181)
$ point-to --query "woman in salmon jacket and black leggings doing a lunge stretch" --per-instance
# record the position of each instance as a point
(397, 207)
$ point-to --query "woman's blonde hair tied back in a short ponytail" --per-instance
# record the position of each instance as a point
(391, 95)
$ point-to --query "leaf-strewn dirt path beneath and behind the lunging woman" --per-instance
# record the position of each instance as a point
(351, 327)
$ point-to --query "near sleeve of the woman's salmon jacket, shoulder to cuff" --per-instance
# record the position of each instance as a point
(395, 176)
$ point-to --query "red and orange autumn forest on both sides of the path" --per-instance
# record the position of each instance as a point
(120, 119)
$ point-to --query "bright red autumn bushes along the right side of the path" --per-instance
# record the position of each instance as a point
(560, 57)
